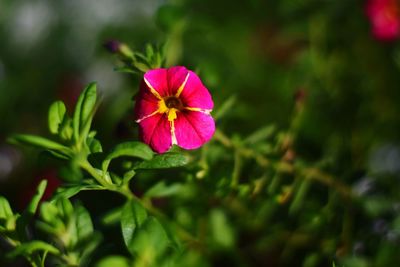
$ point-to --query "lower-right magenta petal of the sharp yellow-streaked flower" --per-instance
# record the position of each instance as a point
(193, 129)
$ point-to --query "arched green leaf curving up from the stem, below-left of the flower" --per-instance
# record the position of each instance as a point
(131, 149)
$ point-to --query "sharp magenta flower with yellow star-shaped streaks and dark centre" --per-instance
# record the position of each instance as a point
(173, 108)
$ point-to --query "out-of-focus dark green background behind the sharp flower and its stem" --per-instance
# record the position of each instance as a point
(304, 169)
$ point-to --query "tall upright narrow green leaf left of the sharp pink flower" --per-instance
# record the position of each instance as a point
(84, 111)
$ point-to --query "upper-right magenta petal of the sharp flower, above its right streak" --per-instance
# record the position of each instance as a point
(195, 94)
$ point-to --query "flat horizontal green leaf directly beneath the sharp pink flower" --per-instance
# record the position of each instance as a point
(164, 161)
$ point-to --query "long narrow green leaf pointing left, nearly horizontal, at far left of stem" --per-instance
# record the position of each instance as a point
(40, 142)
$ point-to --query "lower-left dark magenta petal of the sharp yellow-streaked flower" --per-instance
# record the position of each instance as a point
(156, 132)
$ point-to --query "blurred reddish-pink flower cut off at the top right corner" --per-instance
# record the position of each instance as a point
(385, 19)
